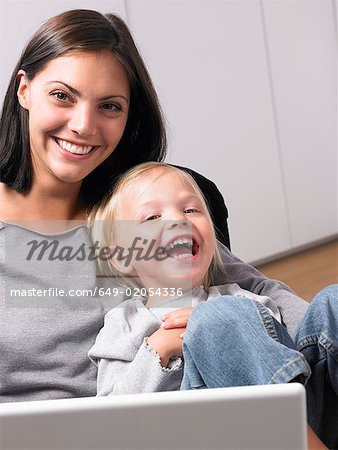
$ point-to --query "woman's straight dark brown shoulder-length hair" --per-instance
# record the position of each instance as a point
(84, 30)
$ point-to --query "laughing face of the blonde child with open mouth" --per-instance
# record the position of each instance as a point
(164, 209)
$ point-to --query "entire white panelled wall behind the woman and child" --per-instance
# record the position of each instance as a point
(249, 92)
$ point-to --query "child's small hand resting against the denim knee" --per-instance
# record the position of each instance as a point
(167, 343)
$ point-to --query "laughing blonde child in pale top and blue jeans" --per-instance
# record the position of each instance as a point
(154, 342)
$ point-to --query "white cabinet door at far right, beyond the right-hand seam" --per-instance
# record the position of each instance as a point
(302, 47)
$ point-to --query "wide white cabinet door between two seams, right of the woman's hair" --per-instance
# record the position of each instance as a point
(208, 61)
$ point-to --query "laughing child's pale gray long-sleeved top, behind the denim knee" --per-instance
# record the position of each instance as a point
(126, 364)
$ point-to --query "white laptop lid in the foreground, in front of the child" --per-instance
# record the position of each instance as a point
(254, 417)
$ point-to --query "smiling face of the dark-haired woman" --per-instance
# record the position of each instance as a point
(78, 108)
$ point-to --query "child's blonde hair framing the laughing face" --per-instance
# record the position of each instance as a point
(102, 217)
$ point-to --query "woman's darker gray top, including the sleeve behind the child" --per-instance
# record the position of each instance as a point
(44, 340)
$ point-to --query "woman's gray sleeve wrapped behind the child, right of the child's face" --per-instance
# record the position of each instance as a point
(291, 306)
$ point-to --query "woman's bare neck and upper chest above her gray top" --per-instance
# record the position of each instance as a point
(39, 203)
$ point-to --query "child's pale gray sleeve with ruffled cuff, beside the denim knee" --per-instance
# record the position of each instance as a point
(126, 364)
